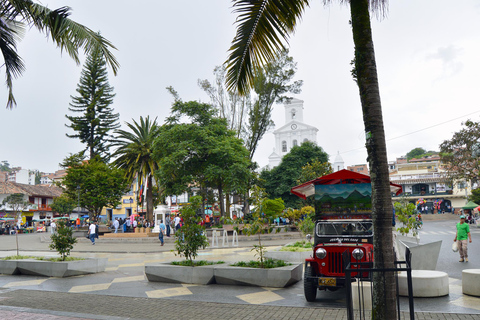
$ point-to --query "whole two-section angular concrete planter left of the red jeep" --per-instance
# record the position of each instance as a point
(225, 274)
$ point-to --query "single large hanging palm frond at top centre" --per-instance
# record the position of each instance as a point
(262, 28)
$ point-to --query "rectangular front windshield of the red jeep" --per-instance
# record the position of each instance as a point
(344, 228)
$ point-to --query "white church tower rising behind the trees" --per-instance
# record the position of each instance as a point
(294, 132)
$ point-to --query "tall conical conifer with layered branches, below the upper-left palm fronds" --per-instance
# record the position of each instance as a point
(95, 120)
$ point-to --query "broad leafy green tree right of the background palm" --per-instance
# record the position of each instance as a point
(201, 152)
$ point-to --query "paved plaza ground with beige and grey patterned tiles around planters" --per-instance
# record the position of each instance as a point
(123, 292)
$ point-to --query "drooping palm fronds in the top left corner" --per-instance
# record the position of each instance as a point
(16, 16)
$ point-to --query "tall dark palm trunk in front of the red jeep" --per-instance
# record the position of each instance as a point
(384, 295)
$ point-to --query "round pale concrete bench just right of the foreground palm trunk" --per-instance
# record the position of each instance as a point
(426, 283)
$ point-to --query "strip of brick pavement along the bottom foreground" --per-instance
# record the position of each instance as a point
(21, 304)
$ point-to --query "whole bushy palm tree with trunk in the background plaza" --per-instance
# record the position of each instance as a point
(135, 155)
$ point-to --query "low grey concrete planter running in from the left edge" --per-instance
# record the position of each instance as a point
(58, 269)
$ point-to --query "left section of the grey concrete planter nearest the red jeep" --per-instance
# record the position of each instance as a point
(166, 272)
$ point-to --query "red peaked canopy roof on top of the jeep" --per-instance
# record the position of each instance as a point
(340, 177)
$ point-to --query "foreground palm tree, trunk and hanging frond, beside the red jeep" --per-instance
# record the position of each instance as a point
(262, 26)
